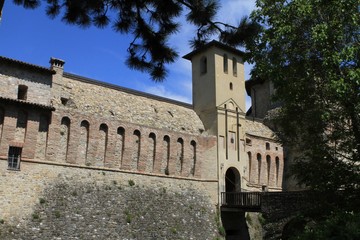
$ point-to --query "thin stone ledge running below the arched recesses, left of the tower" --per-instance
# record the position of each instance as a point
(4, 158)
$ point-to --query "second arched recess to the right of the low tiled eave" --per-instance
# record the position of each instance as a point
(83, 143)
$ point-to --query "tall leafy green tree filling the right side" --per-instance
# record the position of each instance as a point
(310, 50)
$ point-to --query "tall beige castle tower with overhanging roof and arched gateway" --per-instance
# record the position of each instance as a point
(219, 100)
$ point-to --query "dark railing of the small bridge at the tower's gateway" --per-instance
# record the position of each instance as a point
(245, 200)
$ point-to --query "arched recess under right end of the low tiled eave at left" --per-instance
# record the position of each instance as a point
(41, 140)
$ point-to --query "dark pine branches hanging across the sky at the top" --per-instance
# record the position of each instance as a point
(151, 23)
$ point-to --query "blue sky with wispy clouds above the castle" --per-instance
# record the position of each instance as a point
(30, 36)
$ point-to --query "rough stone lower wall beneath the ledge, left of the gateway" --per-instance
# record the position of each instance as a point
(44, 201)
